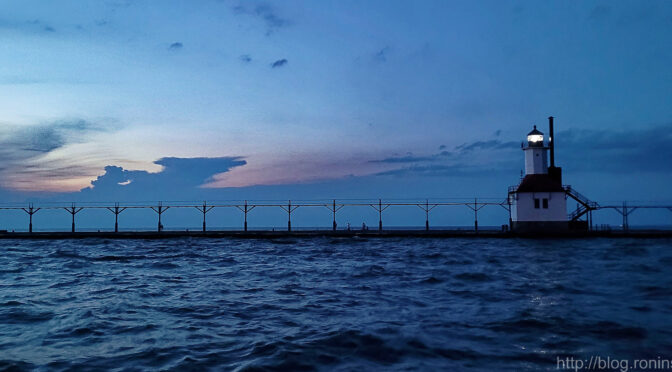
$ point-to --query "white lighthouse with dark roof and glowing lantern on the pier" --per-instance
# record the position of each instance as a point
(539, 202)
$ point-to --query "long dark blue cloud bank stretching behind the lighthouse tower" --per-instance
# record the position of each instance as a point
(577, 150)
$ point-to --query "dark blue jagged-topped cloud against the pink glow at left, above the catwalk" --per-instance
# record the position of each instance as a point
(180, 178)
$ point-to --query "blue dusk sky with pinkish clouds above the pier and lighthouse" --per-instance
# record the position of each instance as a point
(230, 100)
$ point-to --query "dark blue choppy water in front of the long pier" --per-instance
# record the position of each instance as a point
(331, 304)
